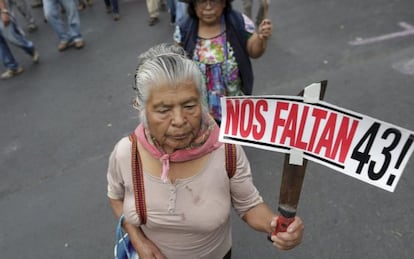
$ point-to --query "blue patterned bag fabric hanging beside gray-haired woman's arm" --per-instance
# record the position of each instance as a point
(123, 247)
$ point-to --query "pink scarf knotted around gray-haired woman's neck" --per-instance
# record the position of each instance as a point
(204, 143)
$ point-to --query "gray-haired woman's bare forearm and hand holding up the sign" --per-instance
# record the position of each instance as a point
(262, 218)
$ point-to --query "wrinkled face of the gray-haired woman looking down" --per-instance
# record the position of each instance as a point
(174, 115)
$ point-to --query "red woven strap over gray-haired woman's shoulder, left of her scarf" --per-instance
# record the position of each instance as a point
(138, 180)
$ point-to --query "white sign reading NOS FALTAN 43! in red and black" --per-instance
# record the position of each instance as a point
(357, 145)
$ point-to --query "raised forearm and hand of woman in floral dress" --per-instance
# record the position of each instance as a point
(257, 43)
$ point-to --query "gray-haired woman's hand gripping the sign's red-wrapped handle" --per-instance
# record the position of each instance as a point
(289, 239)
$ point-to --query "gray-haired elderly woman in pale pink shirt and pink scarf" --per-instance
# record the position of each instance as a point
(187, 192)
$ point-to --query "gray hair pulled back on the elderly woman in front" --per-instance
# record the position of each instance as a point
(162, 64)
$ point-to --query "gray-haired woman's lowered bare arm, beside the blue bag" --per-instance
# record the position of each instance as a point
(144, 247)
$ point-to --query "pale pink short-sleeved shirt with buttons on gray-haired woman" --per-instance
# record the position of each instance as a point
(189, 218)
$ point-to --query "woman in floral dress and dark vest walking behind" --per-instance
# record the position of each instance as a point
(222, 41)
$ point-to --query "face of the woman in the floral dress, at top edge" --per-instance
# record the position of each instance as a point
(209, 11)
